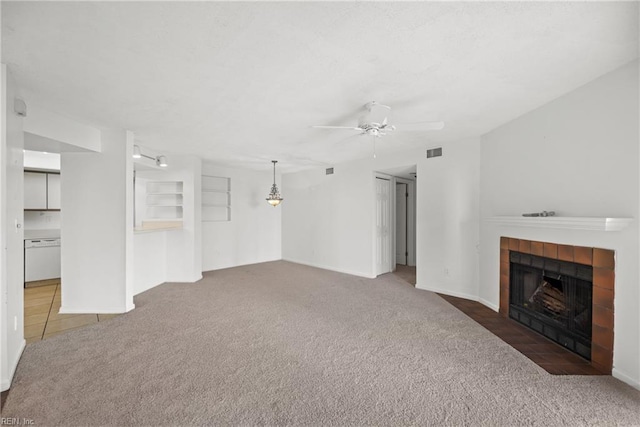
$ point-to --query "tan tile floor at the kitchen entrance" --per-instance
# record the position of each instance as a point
(41, 317)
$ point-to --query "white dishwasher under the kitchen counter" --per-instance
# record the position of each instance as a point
(41, 259)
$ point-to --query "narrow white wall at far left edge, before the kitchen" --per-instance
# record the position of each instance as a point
(11, 233)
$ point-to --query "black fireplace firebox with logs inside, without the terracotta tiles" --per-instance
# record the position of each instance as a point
(554, 298)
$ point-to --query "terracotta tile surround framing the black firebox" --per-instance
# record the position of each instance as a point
(603, 263)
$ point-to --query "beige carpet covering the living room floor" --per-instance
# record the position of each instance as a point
(280, 343)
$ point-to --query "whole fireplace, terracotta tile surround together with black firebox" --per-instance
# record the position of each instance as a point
(594, 265)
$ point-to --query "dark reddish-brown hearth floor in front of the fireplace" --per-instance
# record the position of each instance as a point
(548, 355)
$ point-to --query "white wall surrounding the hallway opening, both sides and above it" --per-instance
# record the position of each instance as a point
(328, 220)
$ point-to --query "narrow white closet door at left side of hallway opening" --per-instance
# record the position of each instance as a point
(383, 220)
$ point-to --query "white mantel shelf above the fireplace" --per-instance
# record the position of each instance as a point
(564, 222)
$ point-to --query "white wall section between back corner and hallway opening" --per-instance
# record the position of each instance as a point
(328, 220)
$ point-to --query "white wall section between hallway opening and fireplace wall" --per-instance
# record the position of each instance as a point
(447, 220)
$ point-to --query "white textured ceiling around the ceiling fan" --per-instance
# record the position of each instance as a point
(241, 83)
